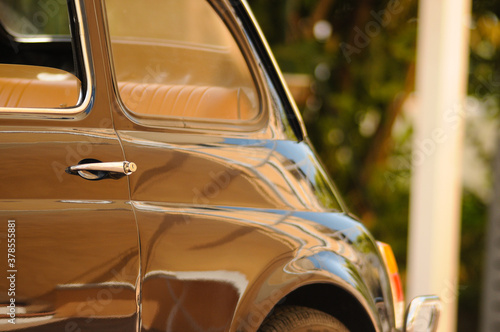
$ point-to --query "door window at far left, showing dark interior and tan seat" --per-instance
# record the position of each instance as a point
(37, 56)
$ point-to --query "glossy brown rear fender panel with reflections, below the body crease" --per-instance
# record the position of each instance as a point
(220, 247)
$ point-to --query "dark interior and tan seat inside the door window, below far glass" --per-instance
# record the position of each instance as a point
(38, 71)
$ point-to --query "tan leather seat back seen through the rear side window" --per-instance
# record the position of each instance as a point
(187, 101)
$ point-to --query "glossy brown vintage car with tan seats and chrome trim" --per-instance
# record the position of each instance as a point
(156, 176)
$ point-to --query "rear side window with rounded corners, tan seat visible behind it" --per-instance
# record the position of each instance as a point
(178, 59)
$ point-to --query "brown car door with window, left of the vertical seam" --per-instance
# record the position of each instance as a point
(68, 237)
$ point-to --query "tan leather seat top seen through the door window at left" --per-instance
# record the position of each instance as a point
(26, 86)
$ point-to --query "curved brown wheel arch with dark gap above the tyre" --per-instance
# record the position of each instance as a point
(343, 295)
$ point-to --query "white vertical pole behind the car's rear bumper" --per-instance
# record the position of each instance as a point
(441, 81)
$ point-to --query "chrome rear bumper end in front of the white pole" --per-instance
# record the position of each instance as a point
(422, 314)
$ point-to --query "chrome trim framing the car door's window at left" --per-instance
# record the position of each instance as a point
(85, 45)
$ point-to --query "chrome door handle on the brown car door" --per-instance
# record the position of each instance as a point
(88, 171)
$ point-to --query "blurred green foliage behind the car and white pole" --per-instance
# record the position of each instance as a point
(353, 65)
